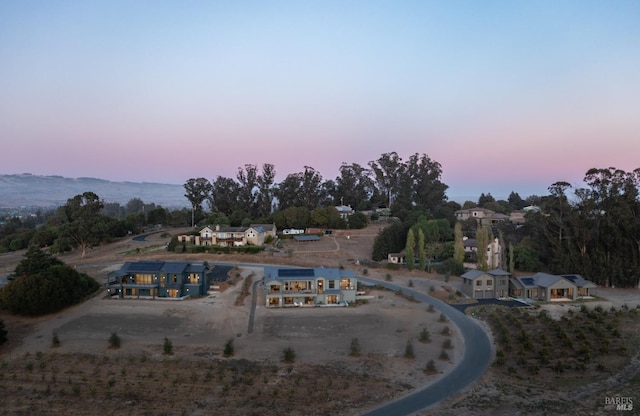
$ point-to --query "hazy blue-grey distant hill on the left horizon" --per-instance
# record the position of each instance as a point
(27, 190)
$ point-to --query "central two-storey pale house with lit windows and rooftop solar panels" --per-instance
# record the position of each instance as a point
(309, 287)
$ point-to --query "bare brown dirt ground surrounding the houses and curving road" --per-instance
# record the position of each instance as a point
(84, 376)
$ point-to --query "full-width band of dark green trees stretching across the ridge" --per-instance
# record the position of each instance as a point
(593, 230)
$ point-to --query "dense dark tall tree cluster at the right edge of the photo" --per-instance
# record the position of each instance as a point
(595, 231)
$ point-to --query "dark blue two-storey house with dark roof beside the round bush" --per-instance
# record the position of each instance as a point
(159, 279)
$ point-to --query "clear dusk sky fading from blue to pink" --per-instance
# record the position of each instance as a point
(505, 95)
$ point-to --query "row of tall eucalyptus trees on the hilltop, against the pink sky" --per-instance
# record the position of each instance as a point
(386, 182)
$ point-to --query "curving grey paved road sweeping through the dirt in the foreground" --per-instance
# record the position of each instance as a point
(477, 356)
